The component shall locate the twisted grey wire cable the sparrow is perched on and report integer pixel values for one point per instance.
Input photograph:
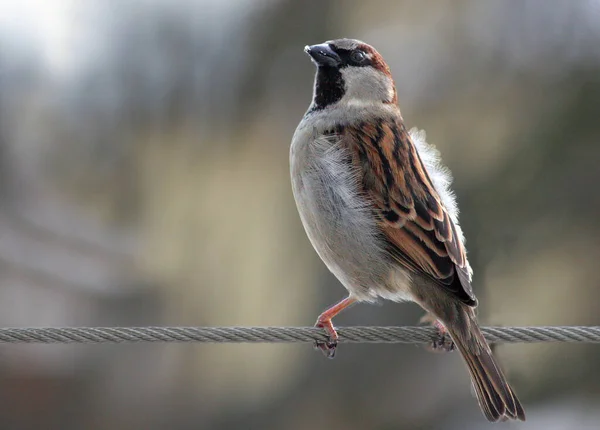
(586, 334)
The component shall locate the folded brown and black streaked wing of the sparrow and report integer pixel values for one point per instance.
(417, 229)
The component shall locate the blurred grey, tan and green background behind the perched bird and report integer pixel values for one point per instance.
(144, 181)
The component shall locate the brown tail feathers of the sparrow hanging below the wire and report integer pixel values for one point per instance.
(496, 398)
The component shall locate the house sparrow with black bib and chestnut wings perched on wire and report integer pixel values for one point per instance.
(376, 205)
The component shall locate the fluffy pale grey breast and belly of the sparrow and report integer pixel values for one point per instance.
(337, 220)
